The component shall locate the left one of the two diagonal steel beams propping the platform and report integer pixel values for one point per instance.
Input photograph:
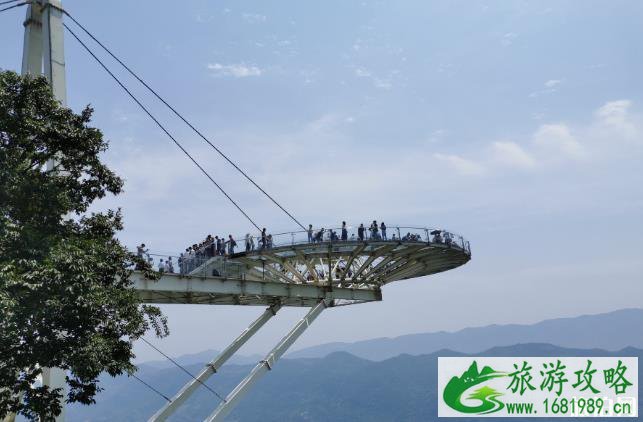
(213, 366)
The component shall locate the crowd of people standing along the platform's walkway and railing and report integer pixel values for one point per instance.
(196, 254)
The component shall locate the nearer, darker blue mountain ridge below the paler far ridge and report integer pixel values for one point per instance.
(338, 387)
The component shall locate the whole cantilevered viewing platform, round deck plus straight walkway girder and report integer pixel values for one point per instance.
(293, 269)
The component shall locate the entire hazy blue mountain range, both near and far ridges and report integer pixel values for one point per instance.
(390, 379)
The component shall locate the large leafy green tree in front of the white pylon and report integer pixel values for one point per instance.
(65, 296)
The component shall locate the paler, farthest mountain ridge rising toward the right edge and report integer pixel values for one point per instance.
(608, 331)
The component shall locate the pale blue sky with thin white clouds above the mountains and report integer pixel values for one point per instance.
(518, 124)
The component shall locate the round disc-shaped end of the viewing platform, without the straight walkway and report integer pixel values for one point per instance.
(355, 259)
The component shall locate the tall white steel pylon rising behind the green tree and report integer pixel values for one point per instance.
(44, 53)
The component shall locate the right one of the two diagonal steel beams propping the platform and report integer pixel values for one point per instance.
(266, 365)
